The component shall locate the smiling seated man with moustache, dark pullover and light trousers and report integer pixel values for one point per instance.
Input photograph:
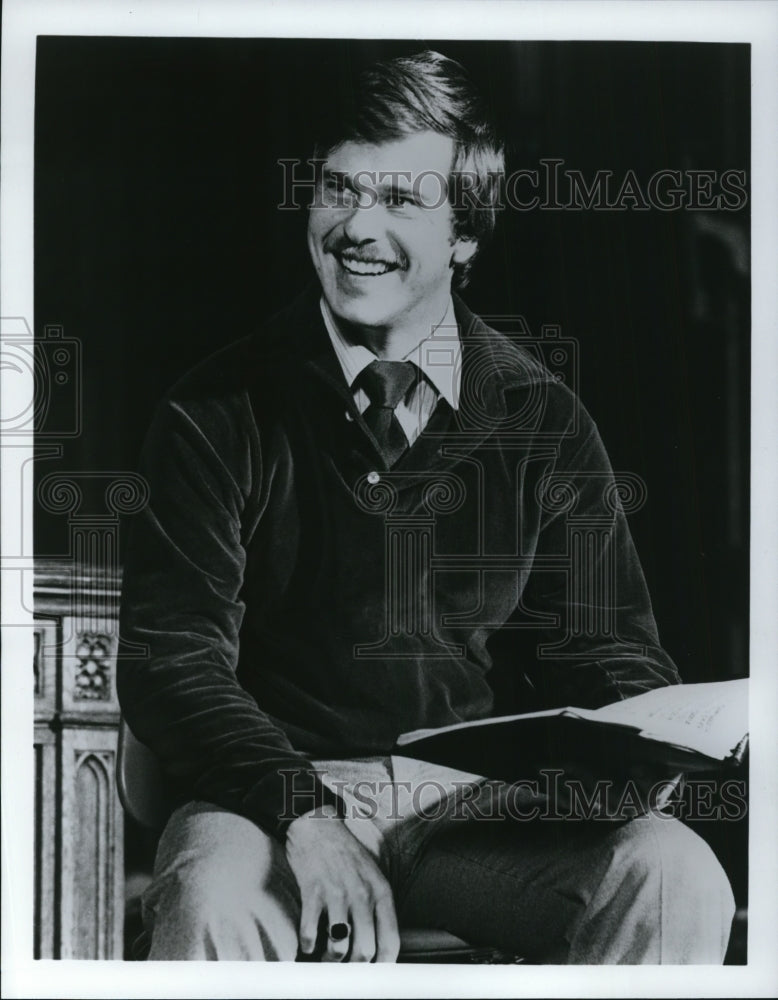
(350, 511)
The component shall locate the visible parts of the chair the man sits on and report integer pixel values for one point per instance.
(141, 790)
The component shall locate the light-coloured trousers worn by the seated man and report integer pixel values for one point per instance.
(460, 858)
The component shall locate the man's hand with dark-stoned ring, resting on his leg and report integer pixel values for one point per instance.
(341, 887)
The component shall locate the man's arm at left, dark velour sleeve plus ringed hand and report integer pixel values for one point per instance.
(180, 598)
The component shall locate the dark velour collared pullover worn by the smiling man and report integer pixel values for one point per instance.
(258, 574)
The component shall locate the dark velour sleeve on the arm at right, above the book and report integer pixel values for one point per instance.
(600, 642)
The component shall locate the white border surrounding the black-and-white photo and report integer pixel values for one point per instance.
(755, 23)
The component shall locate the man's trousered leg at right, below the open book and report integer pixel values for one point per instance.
(646, 891)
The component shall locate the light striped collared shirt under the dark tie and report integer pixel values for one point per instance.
(439, 357)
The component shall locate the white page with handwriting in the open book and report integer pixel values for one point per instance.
(711, 718)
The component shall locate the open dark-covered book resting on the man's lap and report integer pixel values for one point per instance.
(693, 727)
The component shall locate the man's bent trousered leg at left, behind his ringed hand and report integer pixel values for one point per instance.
(222, 889)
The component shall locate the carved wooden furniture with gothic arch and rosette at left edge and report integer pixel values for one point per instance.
(79, 825)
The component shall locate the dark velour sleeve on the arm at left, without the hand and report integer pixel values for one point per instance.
(181, 600)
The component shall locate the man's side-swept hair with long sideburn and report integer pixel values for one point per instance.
(399, 97)
